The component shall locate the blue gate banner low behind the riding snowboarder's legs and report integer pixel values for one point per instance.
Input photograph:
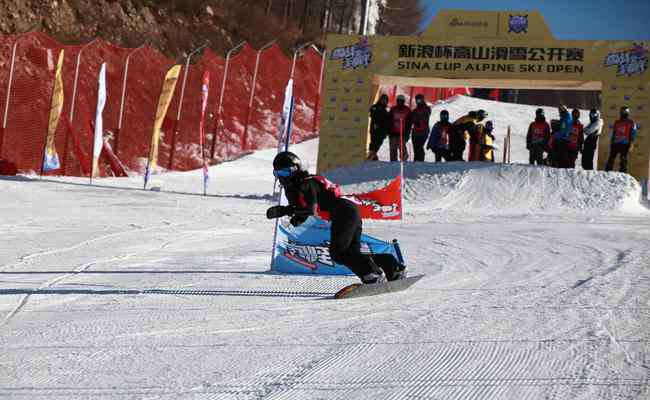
(305, 249)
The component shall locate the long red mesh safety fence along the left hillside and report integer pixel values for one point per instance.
(244, 121)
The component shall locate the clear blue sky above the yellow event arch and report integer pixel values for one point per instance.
(569, 19)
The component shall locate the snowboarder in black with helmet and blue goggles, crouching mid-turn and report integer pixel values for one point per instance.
(308, 193)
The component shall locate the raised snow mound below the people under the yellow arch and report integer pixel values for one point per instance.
(499, 188)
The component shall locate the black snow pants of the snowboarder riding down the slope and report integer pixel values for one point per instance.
(345, 243)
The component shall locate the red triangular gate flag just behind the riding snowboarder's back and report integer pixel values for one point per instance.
(384, 203)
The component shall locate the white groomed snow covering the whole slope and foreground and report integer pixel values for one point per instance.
(537, 287)
